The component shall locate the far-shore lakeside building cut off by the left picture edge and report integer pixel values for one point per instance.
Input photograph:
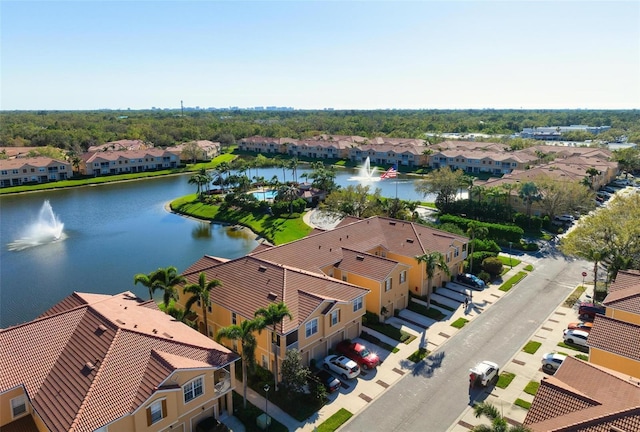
(30, 170)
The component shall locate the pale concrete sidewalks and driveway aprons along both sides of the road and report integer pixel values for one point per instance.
(372, 384)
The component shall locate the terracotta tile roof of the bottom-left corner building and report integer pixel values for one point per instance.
(88, 365)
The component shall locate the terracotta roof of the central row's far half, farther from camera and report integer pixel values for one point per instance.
(404, 238)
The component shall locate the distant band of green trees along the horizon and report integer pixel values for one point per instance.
(75, 131)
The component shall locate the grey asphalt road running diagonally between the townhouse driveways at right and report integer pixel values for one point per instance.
(436, 393)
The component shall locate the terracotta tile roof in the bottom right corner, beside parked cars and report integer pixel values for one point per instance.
(569, 402)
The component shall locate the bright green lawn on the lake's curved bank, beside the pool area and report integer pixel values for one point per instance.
(276, 230)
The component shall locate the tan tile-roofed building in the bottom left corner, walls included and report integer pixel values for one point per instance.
(111, 363)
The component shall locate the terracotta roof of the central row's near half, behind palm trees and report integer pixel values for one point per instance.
(250, 283)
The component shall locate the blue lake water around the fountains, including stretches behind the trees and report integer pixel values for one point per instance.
(112, 232)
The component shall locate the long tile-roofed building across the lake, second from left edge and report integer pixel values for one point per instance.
(127, 161)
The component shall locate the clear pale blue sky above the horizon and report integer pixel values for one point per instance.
(422, 54)
